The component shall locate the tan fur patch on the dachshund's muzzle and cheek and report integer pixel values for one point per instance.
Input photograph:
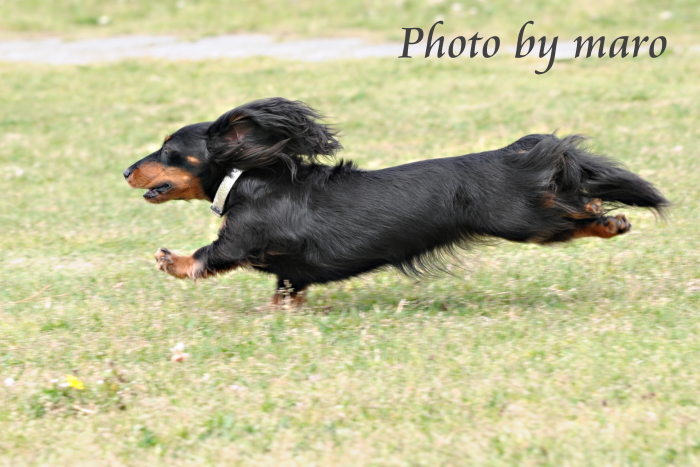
(150, 175)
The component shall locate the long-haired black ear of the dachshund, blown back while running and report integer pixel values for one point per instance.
(261, 133)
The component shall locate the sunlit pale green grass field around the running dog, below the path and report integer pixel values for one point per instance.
(580, 355)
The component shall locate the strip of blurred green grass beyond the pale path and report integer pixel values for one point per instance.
(378, 19)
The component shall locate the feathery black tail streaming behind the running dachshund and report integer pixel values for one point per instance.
(567, 171)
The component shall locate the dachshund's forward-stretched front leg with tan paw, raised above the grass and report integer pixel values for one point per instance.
(201, 264)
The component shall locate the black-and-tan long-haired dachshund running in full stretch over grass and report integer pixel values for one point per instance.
(310, 223)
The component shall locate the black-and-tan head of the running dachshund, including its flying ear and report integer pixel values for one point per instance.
(194, 160)
